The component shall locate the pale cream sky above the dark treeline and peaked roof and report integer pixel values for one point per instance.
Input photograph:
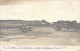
(50, 10)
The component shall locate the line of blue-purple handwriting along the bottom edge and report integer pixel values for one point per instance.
(24, 47)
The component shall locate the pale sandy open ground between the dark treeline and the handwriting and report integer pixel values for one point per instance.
(40, 36)
